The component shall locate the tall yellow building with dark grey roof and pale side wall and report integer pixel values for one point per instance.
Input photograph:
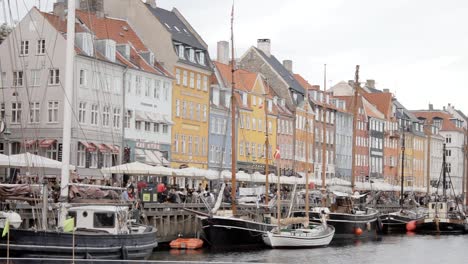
(183, 52)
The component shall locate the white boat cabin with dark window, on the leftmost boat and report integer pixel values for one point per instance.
(106, 218)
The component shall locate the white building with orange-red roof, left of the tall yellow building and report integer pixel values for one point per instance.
(147, 92)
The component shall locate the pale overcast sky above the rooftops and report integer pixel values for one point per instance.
(418, 49)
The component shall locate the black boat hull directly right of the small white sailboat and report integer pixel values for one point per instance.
(349, 226)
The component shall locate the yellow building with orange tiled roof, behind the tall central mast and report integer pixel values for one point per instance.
(255, 117)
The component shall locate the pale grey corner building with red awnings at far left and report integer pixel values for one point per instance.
(33, 75)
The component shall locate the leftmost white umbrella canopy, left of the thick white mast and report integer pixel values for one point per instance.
(34, 161)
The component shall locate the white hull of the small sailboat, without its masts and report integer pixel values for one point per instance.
(284, 240)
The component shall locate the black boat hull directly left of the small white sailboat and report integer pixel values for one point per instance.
(224, 232)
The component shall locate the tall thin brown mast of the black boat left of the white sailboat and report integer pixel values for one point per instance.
(233, 121)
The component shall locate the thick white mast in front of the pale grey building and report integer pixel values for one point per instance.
(67, 111)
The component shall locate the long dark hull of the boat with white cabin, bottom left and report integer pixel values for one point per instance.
(88, 245)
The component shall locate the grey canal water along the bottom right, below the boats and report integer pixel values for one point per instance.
(392, 249)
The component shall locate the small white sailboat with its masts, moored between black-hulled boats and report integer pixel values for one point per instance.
(299, 237)
